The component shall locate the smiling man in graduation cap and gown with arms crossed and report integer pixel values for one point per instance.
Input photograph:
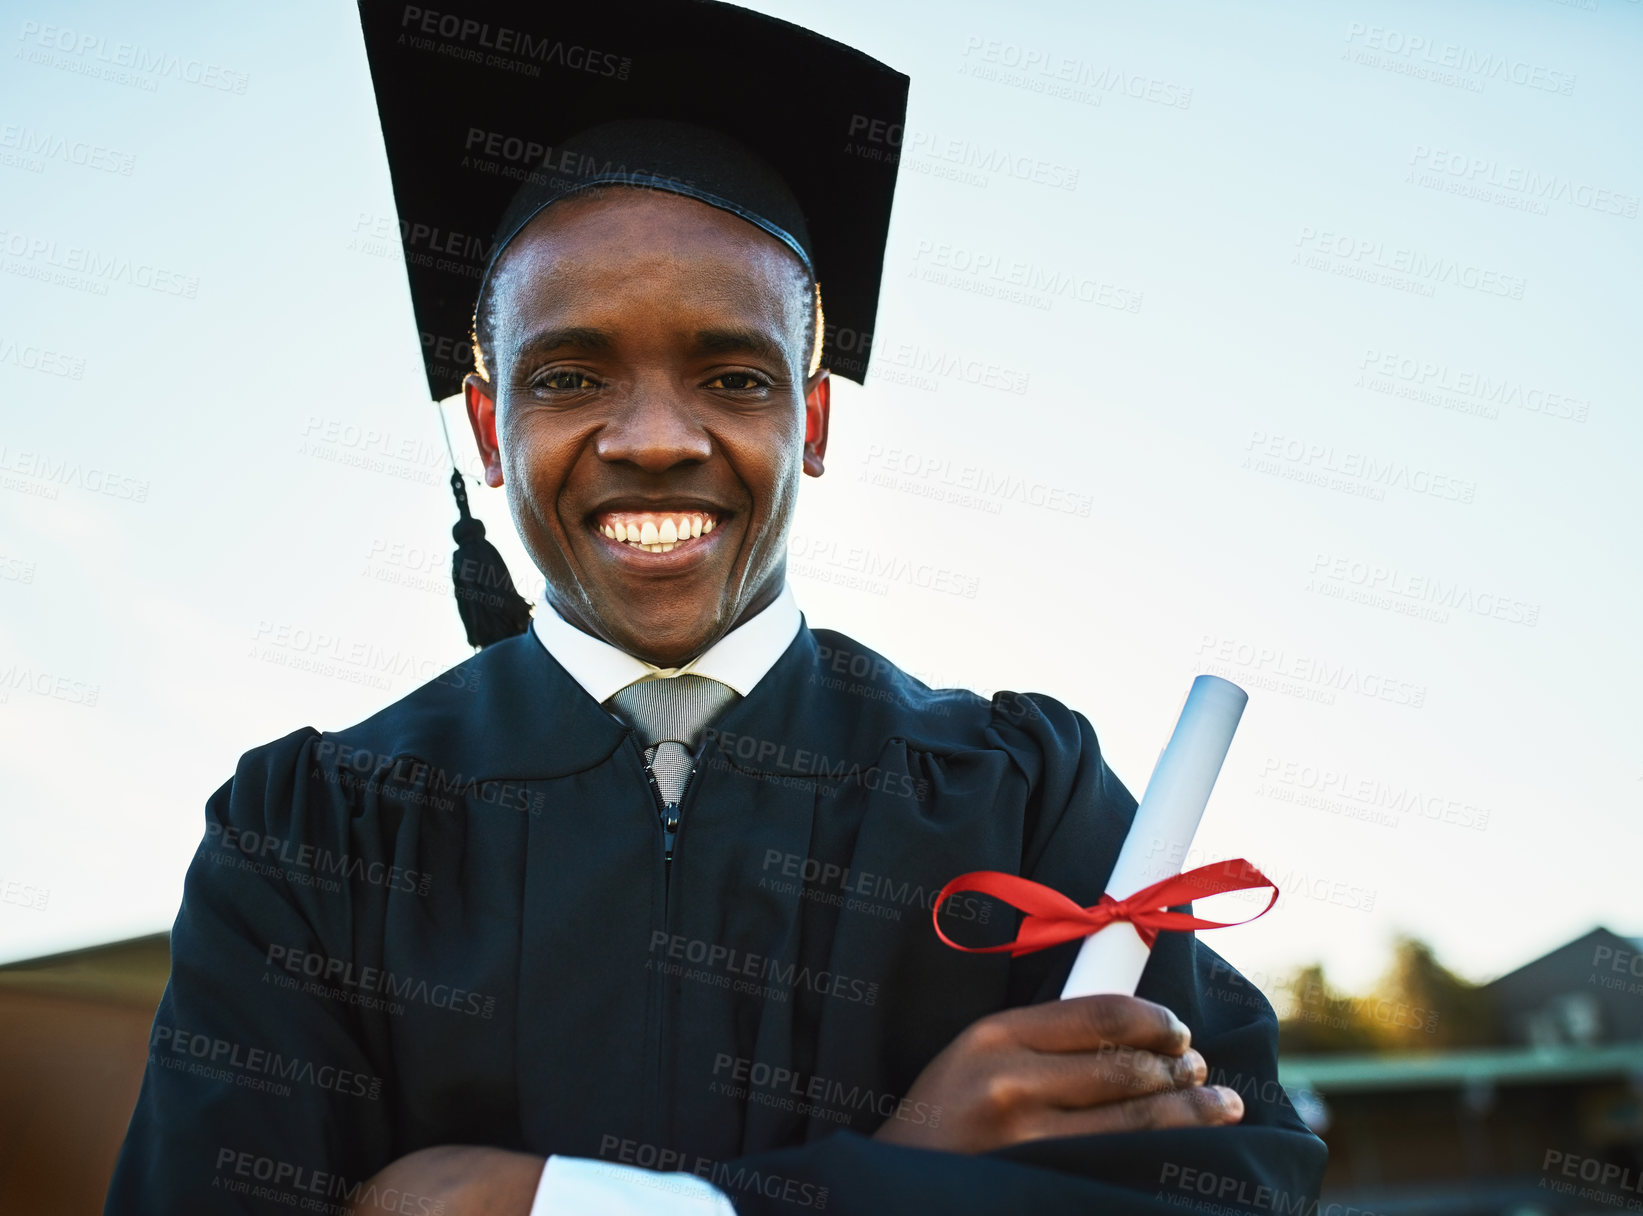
(632, 910)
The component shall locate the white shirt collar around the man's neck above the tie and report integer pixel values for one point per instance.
(740, 658)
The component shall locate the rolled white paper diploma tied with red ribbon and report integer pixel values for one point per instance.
(1162, 832)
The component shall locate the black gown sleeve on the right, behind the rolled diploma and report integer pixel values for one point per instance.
(1271, 1163)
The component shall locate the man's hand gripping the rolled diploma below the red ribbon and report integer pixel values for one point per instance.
(1093, 1064)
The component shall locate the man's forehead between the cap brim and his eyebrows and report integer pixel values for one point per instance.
(627, 242)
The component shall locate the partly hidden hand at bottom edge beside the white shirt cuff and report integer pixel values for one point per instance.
(454, 1181)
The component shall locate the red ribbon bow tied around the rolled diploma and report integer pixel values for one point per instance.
(1054, 919)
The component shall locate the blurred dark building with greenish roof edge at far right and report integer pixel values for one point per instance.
(1547, 1122)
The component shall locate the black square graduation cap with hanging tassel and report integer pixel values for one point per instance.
(495, 109)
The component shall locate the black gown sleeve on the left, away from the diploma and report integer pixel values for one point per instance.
(259, 1097)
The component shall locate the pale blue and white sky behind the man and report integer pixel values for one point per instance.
(1314, 377)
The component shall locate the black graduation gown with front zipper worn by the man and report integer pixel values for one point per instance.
(454, 924)
